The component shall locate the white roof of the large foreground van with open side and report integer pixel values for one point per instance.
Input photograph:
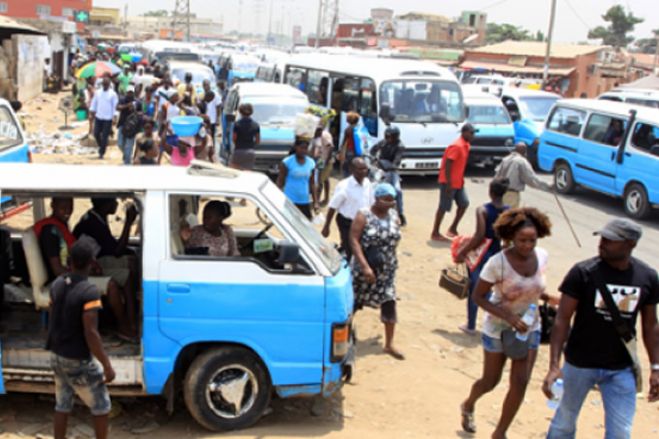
(103, 178)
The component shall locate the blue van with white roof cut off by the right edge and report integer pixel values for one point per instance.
(607, 146)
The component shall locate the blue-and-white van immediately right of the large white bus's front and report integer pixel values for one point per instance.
(496, 133)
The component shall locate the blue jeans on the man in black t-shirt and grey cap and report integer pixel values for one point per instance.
(618, 389)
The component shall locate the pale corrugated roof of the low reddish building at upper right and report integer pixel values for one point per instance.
(536, 48)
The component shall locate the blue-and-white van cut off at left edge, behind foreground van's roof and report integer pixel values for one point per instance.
(13, 146)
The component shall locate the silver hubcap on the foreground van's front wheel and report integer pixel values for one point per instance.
(231, 391)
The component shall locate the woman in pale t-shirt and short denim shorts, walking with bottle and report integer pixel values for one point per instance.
(511, 328)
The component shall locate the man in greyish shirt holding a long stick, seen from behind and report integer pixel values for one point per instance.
(516, 168)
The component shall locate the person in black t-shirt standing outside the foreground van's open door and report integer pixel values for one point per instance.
(73, 338)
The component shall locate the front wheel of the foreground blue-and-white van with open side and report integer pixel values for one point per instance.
(224, 367)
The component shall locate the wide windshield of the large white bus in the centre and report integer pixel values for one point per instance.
(422, 101)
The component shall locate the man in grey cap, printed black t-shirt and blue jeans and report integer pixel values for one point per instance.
(595, 353)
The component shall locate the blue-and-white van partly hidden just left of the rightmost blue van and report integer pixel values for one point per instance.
(529, 110)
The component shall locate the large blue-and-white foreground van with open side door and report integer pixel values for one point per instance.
(225, 333)
